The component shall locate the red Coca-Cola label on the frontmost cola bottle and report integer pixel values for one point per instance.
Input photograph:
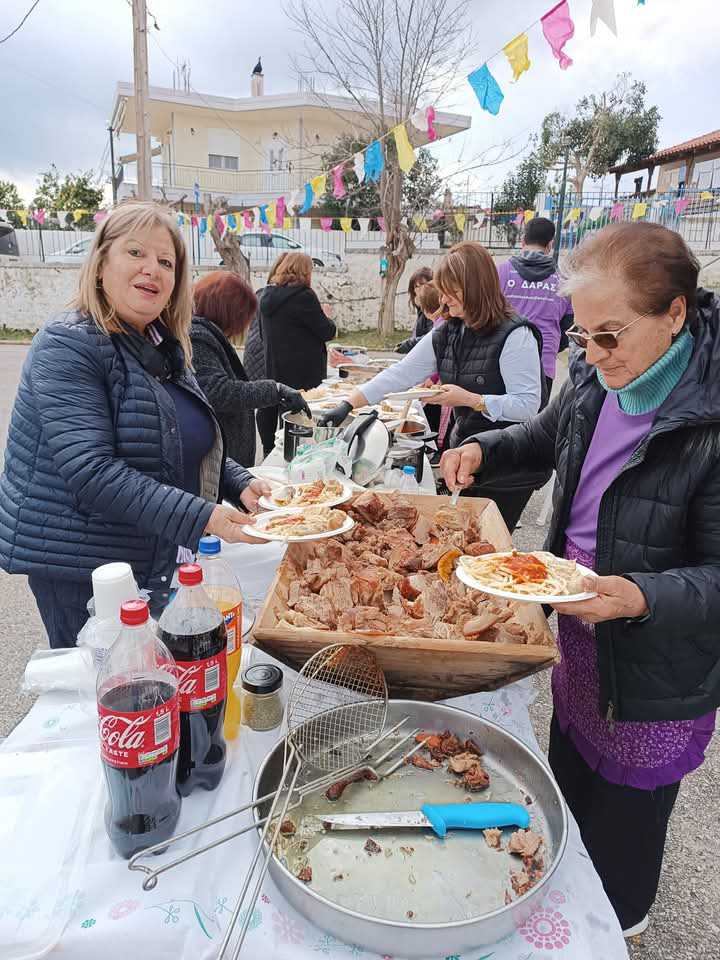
(140, 738)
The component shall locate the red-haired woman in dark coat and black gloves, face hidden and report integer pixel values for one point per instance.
(224, 305)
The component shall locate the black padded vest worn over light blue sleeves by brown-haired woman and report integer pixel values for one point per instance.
(471, 359)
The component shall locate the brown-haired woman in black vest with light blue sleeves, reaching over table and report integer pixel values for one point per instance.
(487, 360)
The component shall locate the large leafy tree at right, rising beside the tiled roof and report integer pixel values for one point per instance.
(606, 129)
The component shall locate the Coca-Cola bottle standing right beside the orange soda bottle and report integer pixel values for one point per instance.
(193, 629)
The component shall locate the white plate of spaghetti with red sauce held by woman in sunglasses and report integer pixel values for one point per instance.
(532, 577)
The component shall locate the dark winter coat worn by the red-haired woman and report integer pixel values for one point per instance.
(224, 382)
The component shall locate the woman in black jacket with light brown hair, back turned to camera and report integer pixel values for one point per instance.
(295, 330)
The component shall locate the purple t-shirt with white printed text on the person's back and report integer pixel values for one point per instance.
(539, 302)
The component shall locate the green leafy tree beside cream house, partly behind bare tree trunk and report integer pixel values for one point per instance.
(419, 191)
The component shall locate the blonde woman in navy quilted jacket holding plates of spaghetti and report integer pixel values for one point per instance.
(113, 452)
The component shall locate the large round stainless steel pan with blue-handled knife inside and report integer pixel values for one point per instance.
(508, 760)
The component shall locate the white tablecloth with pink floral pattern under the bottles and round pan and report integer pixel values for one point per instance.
(96, 908)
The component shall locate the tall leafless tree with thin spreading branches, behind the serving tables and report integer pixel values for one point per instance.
(389, 57)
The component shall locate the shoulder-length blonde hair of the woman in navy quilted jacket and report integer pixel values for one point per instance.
(91, 298)
